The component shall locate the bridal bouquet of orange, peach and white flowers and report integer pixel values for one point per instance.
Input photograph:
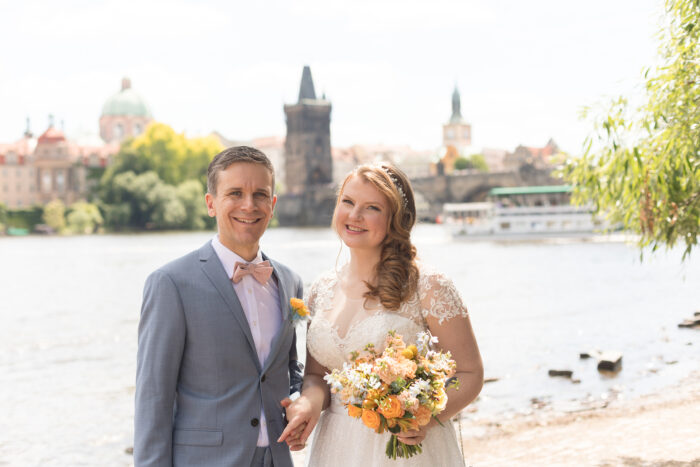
(397, 390)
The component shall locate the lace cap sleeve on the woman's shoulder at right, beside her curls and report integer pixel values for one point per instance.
(439, 297)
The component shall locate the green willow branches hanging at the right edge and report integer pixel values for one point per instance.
(641, 166)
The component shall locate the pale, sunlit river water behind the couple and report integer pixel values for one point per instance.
(70, 310)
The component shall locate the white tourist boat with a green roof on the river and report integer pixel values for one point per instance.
(522, 212)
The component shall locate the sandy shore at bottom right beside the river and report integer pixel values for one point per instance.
(654, 430)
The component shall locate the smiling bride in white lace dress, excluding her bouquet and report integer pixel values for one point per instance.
(382, 288)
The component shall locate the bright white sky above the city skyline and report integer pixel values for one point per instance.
(524, 69)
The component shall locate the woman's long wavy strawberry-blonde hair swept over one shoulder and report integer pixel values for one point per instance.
(396, 272)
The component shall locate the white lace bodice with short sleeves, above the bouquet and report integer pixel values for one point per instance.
(436, 297)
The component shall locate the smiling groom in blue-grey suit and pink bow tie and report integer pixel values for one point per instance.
(217, 348)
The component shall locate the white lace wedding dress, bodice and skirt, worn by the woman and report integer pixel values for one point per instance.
(340, 325)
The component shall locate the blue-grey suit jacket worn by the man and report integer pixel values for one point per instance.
(199, 385)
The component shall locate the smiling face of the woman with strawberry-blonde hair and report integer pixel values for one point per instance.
(362, 215)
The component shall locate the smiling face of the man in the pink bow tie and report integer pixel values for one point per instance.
(243, 206)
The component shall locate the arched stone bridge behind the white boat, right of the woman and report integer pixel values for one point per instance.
(473, 186)
